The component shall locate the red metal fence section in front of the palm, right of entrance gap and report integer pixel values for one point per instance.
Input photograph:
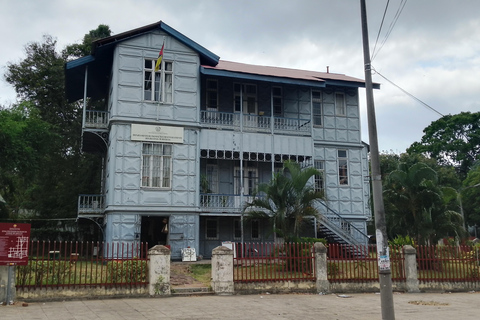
(255, 262)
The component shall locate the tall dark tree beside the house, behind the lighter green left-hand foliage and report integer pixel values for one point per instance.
(63, 172)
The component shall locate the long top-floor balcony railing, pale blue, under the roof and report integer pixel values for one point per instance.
(255, 123)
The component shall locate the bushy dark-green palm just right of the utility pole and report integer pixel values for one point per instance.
(418, 207)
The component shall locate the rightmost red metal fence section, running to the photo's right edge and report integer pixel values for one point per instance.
(448, 263)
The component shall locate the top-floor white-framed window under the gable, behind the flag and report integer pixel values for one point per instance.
(158, 86)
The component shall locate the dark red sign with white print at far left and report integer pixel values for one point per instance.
(14, 239)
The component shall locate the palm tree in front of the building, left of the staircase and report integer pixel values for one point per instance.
(287, 200)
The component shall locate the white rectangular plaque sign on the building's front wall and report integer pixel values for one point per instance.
(142, 132)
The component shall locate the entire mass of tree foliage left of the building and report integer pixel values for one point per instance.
(42, 169)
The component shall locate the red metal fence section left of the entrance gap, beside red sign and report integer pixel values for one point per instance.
(71, 264)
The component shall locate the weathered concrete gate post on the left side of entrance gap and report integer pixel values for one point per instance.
(159, 271)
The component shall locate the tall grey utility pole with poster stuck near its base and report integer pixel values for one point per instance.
(383, 256)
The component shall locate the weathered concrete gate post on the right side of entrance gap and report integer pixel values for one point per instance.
(222, 271)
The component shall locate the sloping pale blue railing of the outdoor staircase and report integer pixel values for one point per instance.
(342, 227)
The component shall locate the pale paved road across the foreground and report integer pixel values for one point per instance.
(422, 306)
